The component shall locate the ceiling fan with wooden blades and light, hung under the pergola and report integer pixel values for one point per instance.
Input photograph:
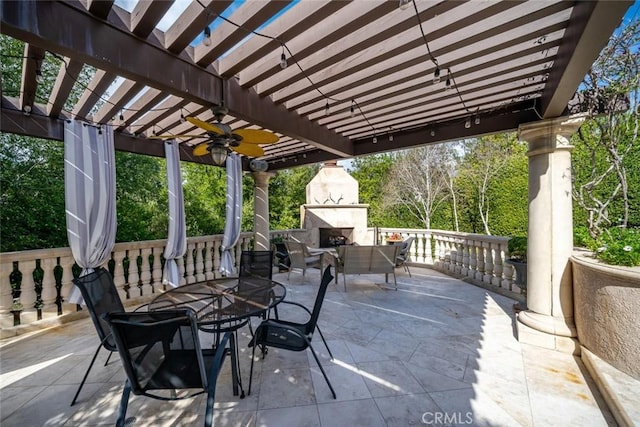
(222, 139)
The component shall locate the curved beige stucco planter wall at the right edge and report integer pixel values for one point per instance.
(607, 312)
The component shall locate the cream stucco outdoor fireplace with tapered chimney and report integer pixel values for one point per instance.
(332, 214)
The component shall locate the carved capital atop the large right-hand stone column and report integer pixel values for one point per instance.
(549, 135)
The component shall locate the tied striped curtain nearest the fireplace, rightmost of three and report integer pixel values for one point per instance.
(233, 213)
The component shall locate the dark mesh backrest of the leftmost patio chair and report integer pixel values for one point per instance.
(101, 297)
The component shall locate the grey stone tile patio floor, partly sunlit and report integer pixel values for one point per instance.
(436, 352)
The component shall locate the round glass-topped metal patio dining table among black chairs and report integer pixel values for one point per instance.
(224, 304)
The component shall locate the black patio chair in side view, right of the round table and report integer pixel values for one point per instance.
(293, 336)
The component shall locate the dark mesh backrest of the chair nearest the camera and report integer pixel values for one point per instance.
(159, 350)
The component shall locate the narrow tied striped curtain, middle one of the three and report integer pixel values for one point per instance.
(177, 238)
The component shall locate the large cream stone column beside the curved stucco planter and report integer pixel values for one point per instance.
(548, 322)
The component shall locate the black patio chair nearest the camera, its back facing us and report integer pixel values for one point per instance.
(160, 350)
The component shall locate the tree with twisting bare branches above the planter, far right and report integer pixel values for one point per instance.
(603, 144)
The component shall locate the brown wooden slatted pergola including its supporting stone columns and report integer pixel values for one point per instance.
(510, 65)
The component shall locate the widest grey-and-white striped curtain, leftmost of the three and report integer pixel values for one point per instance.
(90, 195)
